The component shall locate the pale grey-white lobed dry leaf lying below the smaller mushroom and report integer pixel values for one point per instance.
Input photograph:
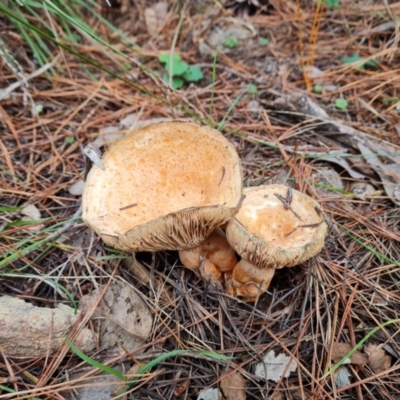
(275, 367)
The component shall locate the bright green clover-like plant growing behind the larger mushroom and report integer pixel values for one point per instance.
(179, 70)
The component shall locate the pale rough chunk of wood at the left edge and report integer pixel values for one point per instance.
(27, 331)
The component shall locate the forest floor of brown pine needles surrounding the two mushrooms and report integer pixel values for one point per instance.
(308, 93)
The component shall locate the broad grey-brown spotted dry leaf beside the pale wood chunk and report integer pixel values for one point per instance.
(124, 319)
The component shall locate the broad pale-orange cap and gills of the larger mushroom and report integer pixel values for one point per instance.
(166, 186)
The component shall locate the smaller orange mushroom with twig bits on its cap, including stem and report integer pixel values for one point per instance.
(275, 227)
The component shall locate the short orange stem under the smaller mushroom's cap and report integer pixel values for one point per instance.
(248, 281)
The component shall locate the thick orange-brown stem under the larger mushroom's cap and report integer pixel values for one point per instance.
(212, 258)
